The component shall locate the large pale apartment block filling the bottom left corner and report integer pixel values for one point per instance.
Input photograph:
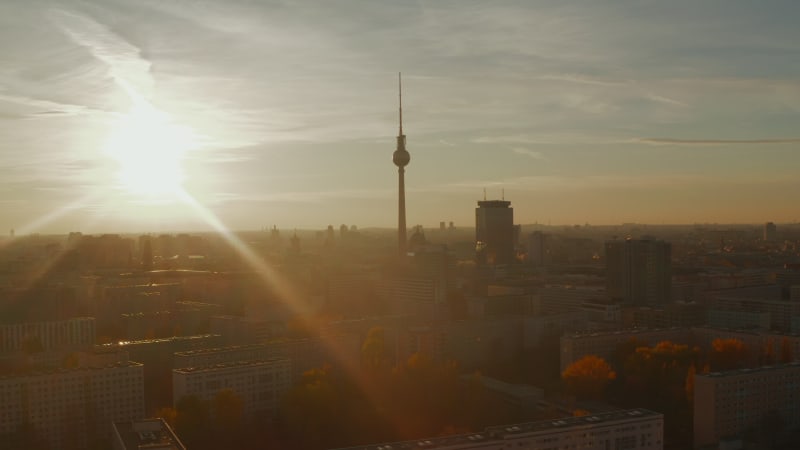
(70, 408)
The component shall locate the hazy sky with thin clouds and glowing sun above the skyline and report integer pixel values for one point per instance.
(146, 116)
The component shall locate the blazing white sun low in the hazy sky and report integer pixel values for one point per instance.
(149, 150)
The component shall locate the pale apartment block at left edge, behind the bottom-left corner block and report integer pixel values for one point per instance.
(75, 333)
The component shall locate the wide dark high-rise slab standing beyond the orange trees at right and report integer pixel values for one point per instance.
(639, 271)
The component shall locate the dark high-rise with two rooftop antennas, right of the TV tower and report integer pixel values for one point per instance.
(494, 232)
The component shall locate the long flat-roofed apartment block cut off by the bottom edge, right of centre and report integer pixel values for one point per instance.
(635, 429)
